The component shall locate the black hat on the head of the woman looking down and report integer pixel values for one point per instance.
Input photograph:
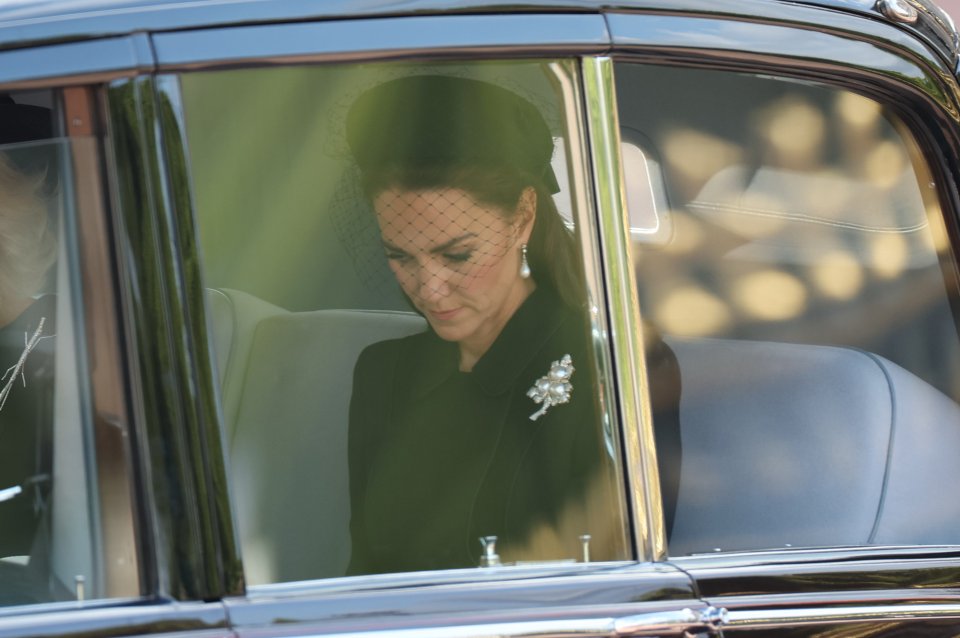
(434, 121)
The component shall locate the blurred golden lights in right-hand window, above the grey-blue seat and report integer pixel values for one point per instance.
(797, 213)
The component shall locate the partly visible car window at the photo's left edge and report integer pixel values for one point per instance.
(49, 528)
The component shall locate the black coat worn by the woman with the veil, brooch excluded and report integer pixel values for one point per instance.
(440, 457)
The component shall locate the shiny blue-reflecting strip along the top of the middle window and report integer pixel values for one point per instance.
(351, 39)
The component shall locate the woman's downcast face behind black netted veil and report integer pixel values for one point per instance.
(457, 259)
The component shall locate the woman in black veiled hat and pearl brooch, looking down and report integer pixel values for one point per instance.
(496, 401)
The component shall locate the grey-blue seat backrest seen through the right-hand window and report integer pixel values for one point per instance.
(799, 445)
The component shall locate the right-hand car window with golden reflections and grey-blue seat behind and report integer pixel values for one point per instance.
(801, 275)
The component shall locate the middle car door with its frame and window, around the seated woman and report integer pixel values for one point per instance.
(278, 253)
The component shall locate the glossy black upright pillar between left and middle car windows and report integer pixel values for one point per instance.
(185, 495)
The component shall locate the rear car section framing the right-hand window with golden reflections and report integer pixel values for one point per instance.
(791, 194)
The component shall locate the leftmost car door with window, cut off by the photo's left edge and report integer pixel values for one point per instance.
(79, 542)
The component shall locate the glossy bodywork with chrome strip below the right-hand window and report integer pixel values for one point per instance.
(811, 581)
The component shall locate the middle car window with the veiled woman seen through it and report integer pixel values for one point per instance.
(400, 318)
